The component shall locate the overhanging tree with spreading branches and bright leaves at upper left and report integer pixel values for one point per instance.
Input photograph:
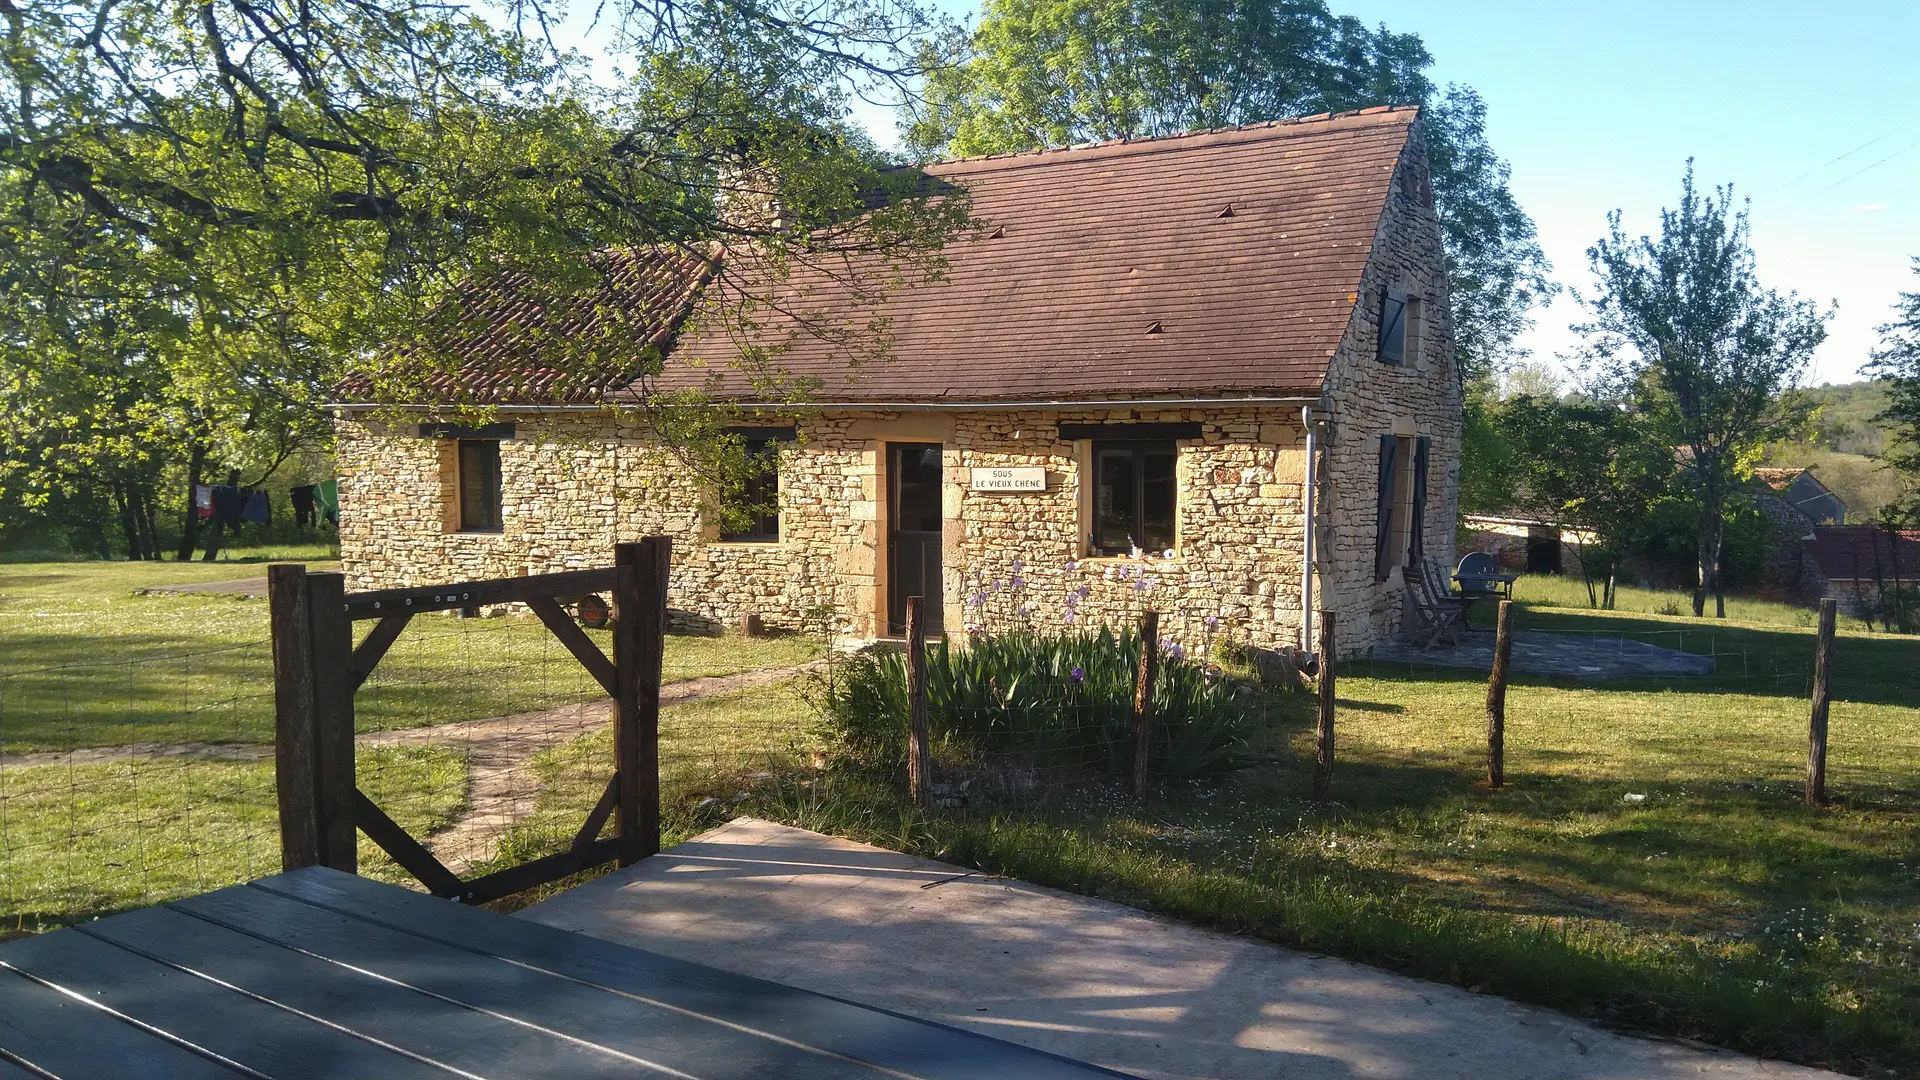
(239, 199)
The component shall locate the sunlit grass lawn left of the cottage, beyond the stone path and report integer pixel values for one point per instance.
(87, 662)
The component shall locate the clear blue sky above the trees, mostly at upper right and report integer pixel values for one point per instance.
(1812, 109)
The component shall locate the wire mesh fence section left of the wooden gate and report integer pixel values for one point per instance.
(133, 781)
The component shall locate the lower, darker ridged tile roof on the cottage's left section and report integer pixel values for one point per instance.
(506, 355)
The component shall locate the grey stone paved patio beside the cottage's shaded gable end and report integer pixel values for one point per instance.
(1543, 652)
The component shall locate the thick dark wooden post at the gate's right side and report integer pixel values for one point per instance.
(638, 652)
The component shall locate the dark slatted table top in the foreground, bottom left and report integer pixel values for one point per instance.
(325, 975)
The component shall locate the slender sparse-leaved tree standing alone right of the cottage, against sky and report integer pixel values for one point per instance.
(1685, 330)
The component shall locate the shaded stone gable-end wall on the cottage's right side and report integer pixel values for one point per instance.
(1368, 399)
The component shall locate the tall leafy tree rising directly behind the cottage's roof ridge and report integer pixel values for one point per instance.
(1057, 72)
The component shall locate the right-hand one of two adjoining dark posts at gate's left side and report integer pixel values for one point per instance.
(333, 722)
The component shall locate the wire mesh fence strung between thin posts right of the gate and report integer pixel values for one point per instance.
(1026, 716)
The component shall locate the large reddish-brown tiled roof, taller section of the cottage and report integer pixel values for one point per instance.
(1115, 270)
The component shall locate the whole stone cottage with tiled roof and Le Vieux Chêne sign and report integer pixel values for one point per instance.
(1209, 374)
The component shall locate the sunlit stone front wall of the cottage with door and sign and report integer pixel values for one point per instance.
(575, 485)
